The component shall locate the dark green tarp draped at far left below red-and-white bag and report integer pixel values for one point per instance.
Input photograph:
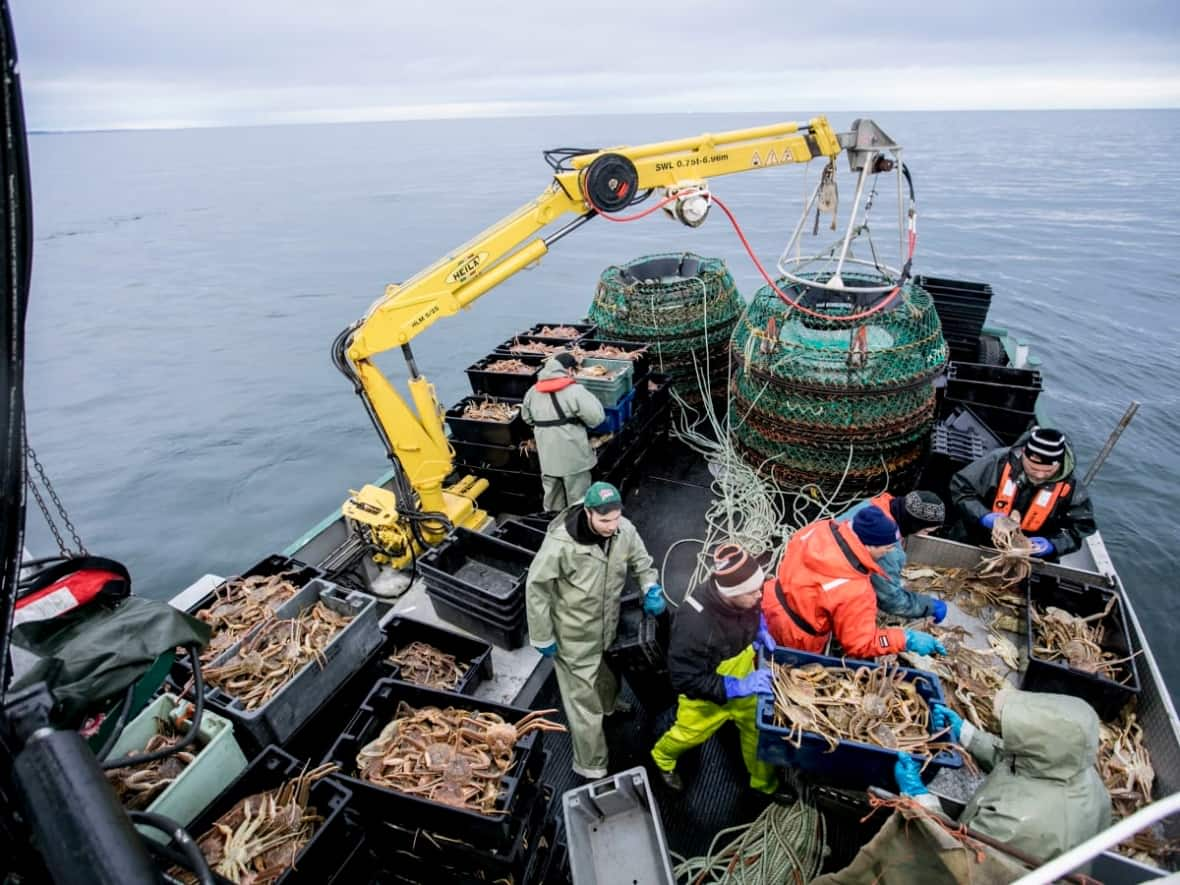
(96, 652)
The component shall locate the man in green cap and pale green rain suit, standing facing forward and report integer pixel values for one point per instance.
(573, 593)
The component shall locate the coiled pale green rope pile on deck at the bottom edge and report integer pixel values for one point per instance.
(784, 845)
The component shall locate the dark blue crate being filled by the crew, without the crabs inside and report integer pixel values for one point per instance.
(853, 764)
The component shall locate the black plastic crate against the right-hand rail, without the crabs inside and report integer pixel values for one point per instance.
(1107, 697)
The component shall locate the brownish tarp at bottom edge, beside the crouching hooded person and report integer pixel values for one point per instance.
(914, 850)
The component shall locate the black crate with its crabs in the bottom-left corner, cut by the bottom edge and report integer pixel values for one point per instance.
(281, 823)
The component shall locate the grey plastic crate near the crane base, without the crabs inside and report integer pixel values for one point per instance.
(298, 700)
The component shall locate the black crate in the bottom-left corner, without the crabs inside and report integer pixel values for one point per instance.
(329, 848)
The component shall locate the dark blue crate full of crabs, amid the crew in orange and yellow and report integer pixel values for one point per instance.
(844, 722)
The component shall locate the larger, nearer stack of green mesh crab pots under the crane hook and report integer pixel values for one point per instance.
(816, 399)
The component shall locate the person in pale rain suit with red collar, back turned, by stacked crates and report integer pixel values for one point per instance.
(561, 411)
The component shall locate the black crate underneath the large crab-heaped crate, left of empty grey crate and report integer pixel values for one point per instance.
(430, 858)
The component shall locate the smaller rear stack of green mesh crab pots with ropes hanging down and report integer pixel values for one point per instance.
(683, 305)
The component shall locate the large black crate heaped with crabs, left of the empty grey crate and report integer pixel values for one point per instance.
(447, 764)
